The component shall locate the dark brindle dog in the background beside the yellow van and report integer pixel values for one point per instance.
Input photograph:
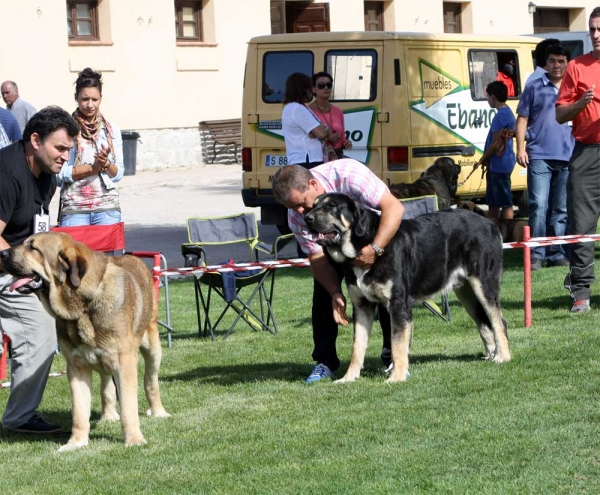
(440, 179)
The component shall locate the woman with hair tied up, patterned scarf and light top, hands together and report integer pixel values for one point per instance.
(89, 195)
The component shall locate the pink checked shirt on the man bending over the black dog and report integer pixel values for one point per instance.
(345, 176)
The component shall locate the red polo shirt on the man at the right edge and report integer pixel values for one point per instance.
(581, 73)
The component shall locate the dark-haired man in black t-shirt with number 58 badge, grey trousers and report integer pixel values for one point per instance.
(27, 184)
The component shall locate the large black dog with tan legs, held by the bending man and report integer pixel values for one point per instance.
(450, 249)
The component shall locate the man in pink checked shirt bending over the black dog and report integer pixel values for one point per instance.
(297, 188)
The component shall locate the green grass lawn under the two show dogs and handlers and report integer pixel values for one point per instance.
(243, 421)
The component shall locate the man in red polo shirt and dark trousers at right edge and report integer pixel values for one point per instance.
(579, 101)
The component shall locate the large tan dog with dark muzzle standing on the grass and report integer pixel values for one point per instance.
(105, 311)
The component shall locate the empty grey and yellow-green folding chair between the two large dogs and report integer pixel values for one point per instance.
(241, 228)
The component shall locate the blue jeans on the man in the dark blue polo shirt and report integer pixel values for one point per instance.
(547, 187)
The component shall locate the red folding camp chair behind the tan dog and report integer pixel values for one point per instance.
(111, 238)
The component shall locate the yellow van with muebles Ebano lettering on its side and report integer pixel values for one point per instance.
(408, 98)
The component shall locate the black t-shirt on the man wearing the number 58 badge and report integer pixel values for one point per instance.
(21, 194)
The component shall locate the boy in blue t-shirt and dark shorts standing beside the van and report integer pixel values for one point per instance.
(499, 149)
